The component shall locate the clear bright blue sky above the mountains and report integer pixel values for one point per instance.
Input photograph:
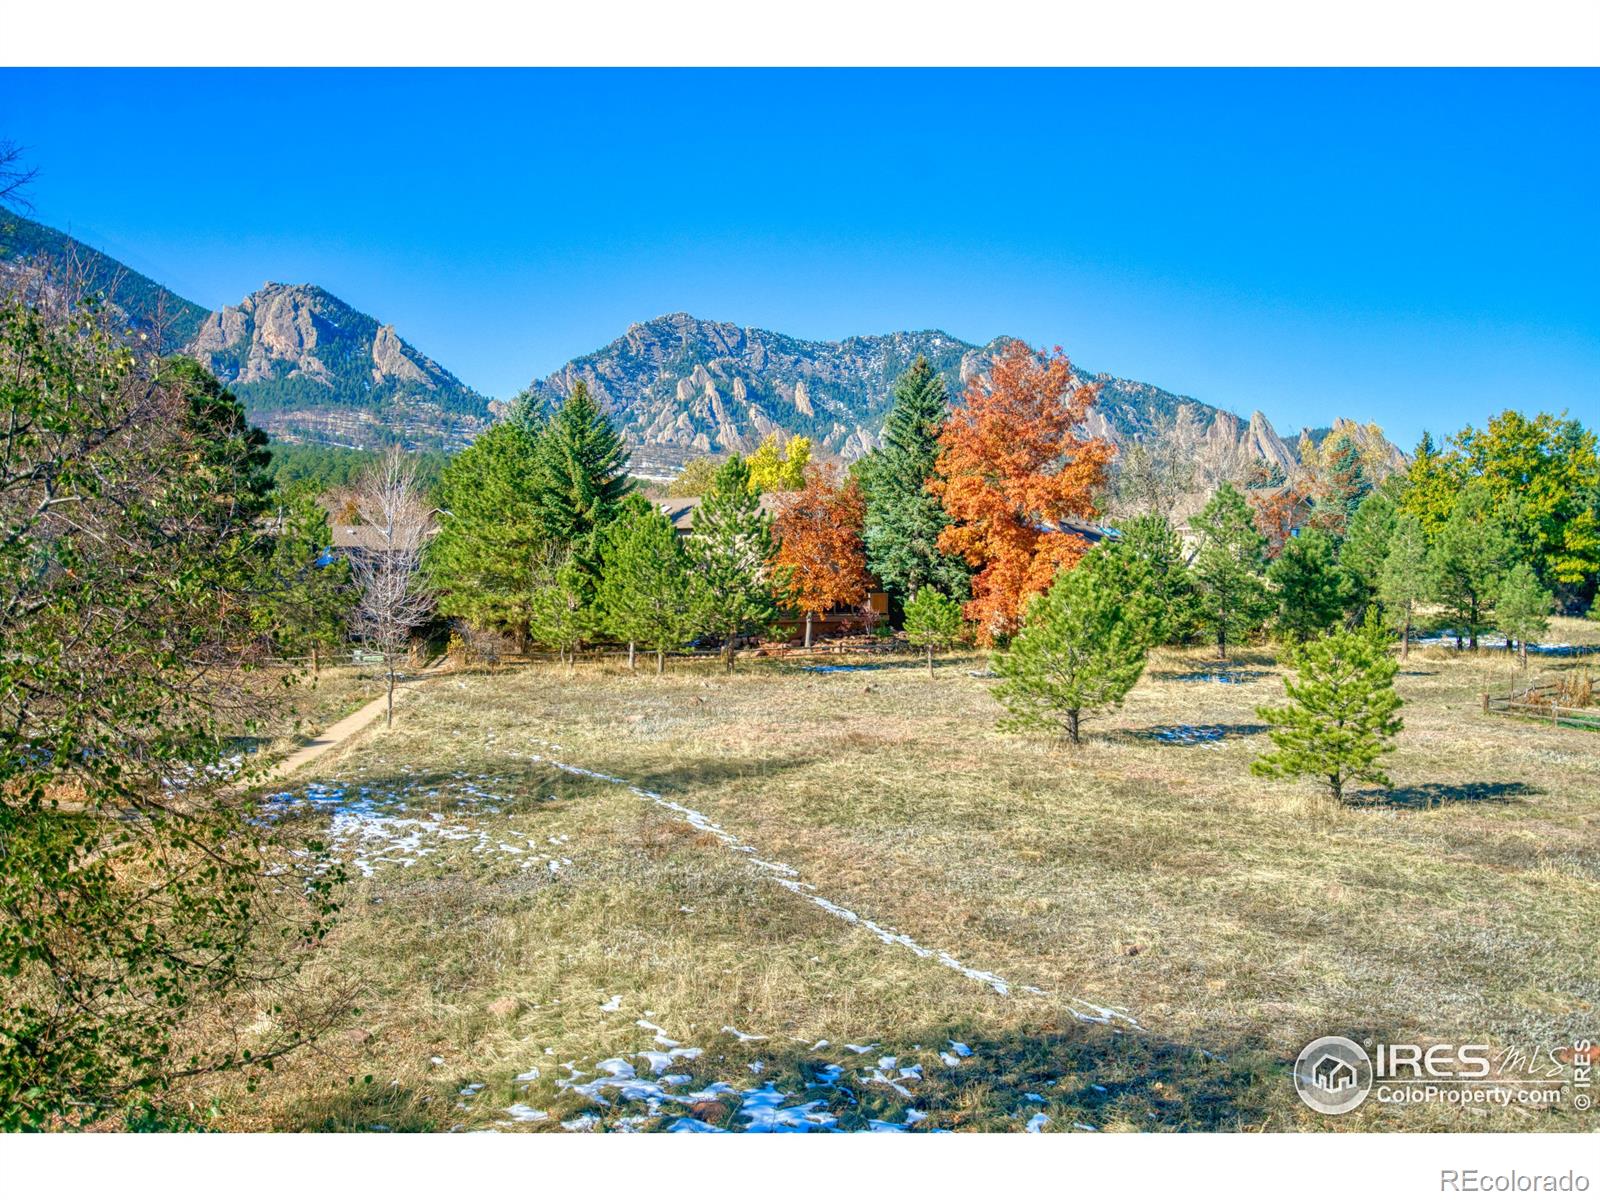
(1417, 249)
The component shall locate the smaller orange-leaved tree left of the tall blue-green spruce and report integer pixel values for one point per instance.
(822, 558)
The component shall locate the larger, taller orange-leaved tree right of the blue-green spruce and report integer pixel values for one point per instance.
(1012, 466)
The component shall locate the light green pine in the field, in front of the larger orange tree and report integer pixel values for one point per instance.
(1082, 649)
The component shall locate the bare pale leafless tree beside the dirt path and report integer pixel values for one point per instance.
(388, 564)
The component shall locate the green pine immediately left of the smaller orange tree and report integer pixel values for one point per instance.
(730, 551)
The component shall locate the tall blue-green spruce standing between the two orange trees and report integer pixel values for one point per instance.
(905, 521)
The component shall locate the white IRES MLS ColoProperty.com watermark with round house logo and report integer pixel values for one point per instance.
(1337, 1074)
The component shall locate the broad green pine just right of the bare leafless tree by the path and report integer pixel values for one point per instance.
(492, 534)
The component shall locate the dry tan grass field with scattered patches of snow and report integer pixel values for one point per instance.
(831, 886)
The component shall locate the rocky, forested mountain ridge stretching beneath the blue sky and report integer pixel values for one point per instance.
(310, 367)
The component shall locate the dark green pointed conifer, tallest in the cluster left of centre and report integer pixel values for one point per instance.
(583, 476)
